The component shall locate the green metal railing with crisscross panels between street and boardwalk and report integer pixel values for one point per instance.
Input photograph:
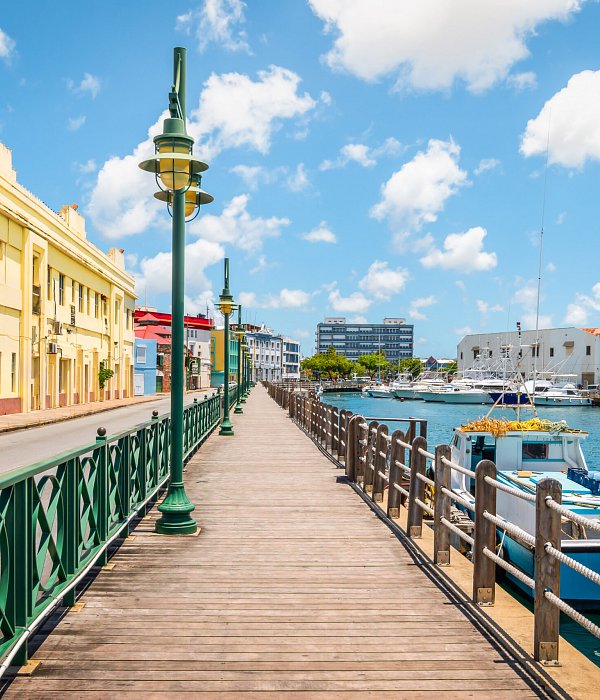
(58, 517)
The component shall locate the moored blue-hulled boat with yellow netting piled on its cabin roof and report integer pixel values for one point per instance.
(525, 453)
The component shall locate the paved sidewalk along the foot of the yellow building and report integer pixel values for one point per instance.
(19, 421)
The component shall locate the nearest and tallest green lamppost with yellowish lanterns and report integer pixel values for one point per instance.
(177, 174)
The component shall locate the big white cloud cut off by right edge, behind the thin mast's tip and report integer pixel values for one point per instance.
(573, 115)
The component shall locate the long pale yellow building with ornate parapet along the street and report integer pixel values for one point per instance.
(66, 308)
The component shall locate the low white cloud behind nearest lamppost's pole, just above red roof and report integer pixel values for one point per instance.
(153, 276)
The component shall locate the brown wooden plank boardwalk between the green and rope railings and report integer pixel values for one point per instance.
(293, 586)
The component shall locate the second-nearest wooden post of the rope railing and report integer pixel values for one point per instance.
(484, 569)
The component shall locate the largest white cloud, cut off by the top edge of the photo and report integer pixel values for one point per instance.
(430, 44)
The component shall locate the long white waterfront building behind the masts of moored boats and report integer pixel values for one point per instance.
(562, 350)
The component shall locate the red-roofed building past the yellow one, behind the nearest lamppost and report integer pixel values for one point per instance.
(157, 325)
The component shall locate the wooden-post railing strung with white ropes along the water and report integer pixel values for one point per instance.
(400, 465)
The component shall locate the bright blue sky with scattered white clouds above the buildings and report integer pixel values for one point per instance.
(368, 158)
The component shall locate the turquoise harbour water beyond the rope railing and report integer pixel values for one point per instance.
(443, 418)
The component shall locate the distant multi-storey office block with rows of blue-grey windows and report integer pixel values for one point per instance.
(394, 337)
